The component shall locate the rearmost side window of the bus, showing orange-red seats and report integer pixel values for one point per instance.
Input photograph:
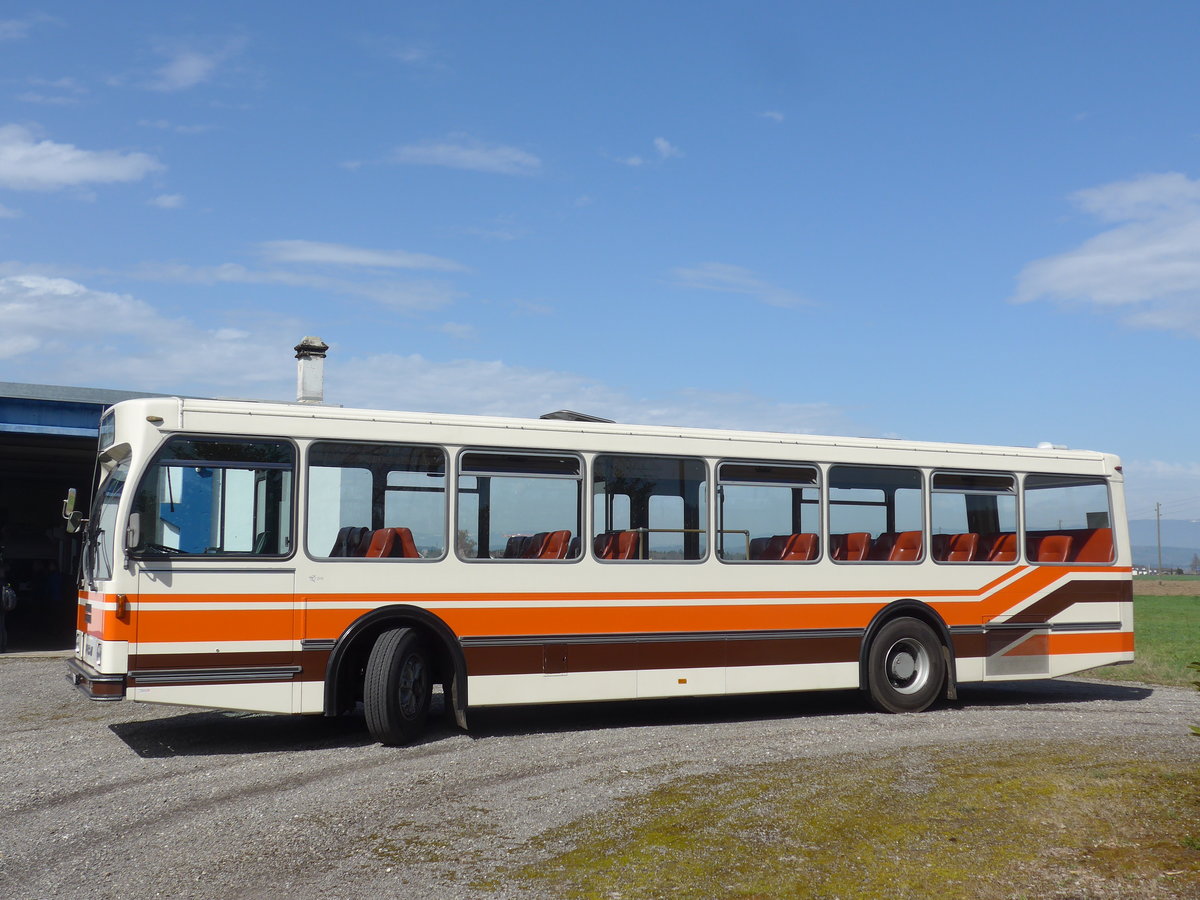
(1067, 520)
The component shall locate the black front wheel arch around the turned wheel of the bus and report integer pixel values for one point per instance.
(347, 662)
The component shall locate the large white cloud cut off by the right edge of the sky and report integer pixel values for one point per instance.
(1148, 266)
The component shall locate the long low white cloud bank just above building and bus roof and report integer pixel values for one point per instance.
(251, 357)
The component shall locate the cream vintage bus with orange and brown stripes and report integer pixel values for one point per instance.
(297, 559)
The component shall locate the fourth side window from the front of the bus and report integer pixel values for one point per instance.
(657, 507)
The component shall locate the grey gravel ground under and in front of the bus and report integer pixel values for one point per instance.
(129, 801)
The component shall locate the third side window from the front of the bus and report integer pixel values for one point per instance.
(515, 506)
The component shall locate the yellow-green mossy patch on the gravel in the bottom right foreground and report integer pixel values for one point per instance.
(982, 823)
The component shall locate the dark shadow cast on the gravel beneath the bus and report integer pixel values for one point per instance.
(219, 734)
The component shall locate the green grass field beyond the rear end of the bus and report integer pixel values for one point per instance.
(1167, 639)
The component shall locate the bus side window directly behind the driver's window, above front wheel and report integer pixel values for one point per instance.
(376, 501)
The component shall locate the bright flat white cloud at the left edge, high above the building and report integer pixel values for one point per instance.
(31, 165)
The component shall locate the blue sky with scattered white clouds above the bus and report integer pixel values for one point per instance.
(934, 221)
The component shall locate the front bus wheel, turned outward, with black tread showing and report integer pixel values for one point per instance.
(398, 688)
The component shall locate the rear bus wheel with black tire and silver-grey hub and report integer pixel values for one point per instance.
(905, 667)
